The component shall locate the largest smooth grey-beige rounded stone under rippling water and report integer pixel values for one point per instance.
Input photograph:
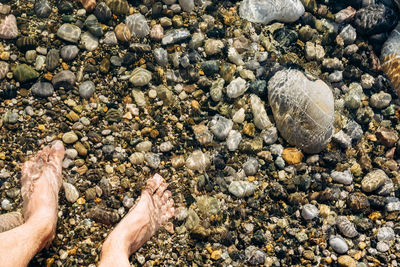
(303, 109)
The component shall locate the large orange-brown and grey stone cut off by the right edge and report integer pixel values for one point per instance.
(390, 58)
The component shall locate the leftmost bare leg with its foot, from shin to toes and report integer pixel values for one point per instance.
(41, 181)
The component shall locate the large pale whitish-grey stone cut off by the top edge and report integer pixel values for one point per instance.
(265, 11)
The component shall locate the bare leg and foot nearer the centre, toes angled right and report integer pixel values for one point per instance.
(154, 208)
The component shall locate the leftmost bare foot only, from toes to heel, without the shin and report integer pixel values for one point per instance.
(41, 181)
